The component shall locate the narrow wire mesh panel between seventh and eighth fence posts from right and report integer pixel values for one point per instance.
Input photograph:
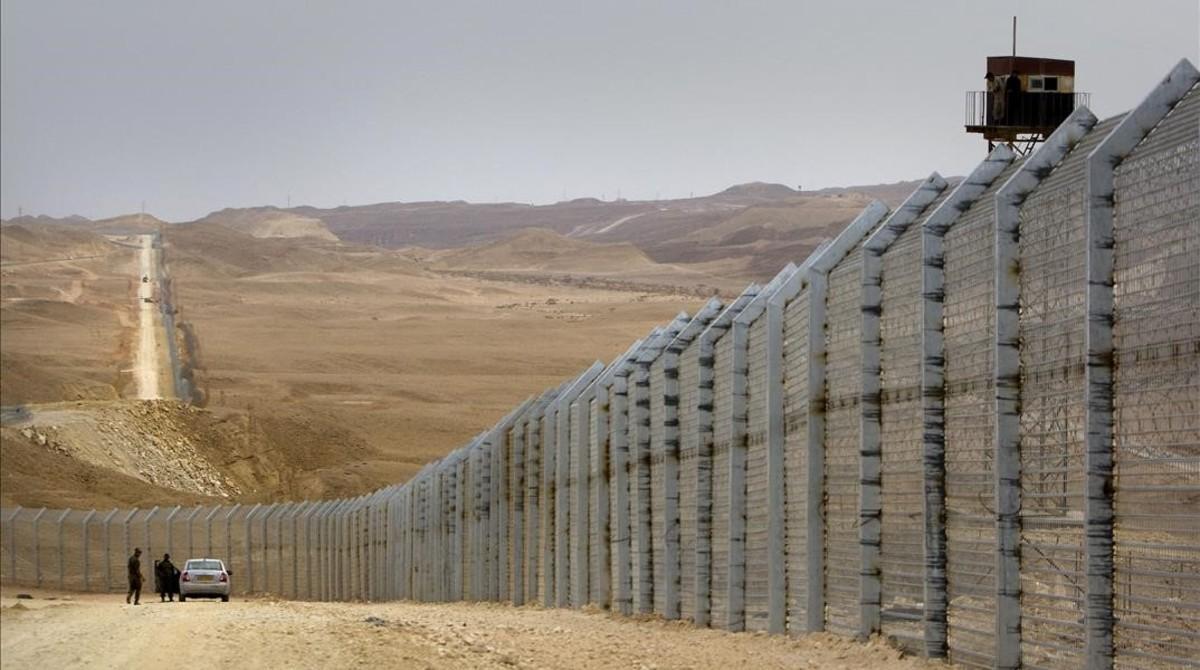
(723, 435)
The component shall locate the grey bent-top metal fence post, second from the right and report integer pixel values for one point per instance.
(1009, 380)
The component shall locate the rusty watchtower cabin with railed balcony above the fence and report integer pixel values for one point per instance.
(1024, 103)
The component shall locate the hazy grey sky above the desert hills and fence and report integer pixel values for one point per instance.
(200, 106)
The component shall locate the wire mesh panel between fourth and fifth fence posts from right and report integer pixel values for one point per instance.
(843, 428)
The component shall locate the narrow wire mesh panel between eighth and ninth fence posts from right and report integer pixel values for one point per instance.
(689, 471)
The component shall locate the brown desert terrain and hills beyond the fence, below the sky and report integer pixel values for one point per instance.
(310, 354)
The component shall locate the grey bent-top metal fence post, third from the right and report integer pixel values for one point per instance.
(933, 391)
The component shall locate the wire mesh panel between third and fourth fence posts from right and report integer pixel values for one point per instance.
(903, 531)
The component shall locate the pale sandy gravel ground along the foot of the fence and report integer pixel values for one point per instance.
(89, 631)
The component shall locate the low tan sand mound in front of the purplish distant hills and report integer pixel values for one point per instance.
(542, 250)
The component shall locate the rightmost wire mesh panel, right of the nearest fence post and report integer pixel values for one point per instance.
(1157, 396)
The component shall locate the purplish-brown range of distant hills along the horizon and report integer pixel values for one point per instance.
(746, 232)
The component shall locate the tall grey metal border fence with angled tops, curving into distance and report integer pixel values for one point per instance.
(971, 424)
